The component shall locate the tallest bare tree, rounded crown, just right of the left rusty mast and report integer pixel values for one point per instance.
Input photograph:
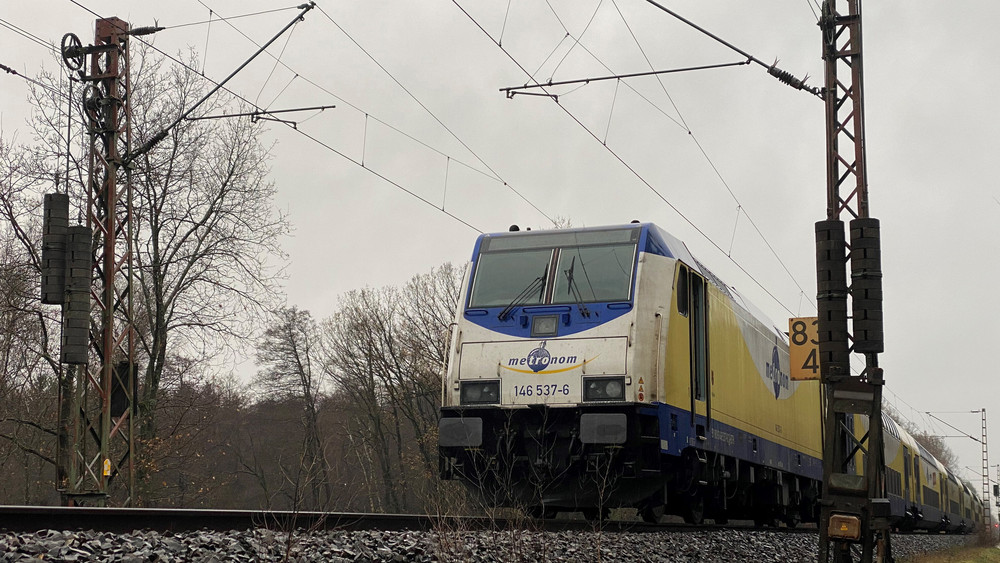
(206, 228)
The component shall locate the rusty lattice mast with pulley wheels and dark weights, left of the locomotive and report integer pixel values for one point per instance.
(101, 441)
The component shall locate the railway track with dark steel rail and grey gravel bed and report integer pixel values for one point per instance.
(171, 535)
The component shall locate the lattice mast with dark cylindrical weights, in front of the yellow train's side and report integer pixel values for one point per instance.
(853, 508)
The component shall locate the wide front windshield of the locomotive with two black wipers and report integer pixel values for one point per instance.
(555, 268)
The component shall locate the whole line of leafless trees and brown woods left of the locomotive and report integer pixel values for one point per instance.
(341, 412)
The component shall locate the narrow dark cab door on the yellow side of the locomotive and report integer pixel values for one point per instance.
(692, 302)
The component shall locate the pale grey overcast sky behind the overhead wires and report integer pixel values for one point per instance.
(712, 156)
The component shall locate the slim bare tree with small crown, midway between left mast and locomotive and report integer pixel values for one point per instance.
(287, 353)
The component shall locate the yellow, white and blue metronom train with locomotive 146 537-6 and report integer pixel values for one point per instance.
(606, 367)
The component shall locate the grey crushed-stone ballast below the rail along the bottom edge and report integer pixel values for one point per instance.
(502, 546)
